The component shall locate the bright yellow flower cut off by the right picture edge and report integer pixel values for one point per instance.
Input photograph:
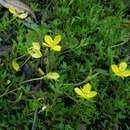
(121, 70)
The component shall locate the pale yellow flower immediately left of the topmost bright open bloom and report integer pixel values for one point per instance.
(34, 51)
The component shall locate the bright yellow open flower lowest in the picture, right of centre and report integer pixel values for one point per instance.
(86, 92)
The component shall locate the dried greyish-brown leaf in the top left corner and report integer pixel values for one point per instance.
(18, 5)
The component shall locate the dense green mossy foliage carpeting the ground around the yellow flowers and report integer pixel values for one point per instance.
(94, 35)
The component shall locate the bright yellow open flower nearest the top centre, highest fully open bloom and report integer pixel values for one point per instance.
(53, 44)
